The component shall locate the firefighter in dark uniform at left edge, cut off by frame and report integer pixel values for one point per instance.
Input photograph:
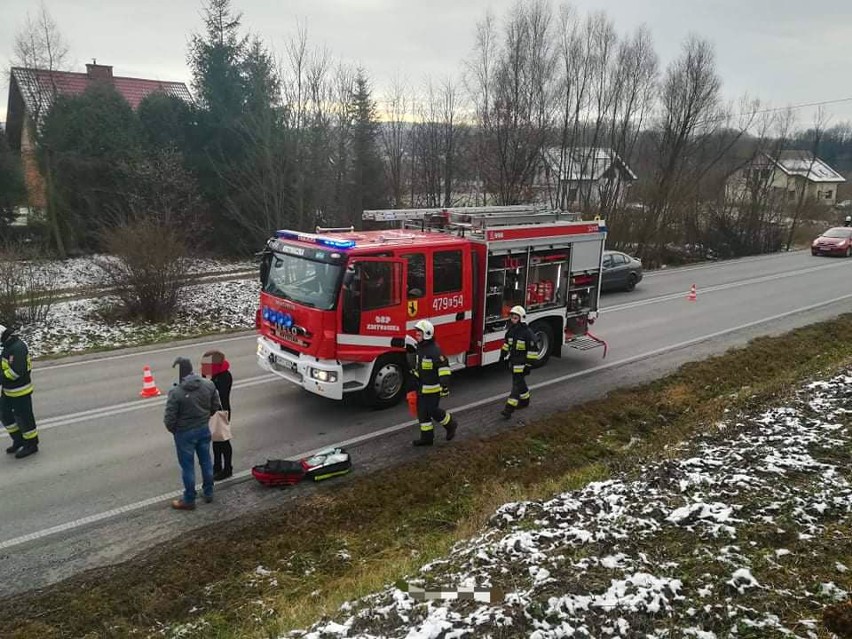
(16, 399)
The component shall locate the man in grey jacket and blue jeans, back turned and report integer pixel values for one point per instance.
(189, 406)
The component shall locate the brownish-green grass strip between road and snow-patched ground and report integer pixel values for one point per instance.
(284, 569)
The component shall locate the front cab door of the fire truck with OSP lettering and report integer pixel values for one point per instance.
(374, 299)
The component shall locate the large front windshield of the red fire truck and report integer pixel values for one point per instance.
(303, 280)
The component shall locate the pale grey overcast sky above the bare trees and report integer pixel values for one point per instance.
(781, 51)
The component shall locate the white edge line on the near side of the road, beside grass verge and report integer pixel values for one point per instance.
(242, 475)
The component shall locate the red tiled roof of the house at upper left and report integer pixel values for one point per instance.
(36, 82)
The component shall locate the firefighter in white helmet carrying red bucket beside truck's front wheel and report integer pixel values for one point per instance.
(432, 376)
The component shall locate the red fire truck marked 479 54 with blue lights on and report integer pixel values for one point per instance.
(336, 305)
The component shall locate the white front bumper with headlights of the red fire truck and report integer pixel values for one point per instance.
(322, 377)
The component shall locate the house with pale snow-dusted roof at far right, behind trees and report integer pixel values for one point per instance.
(788, 176)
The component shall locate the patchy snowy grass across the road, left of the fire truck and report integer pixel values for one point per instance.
(77, 325)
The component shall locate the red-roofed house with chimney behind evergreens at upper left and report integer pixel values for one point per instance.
(32, 92)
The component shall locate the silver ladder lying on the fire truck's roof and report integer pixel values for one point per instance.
(473, 218)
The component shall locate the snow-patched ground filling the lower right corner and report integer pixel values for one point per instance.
(722, 539)
